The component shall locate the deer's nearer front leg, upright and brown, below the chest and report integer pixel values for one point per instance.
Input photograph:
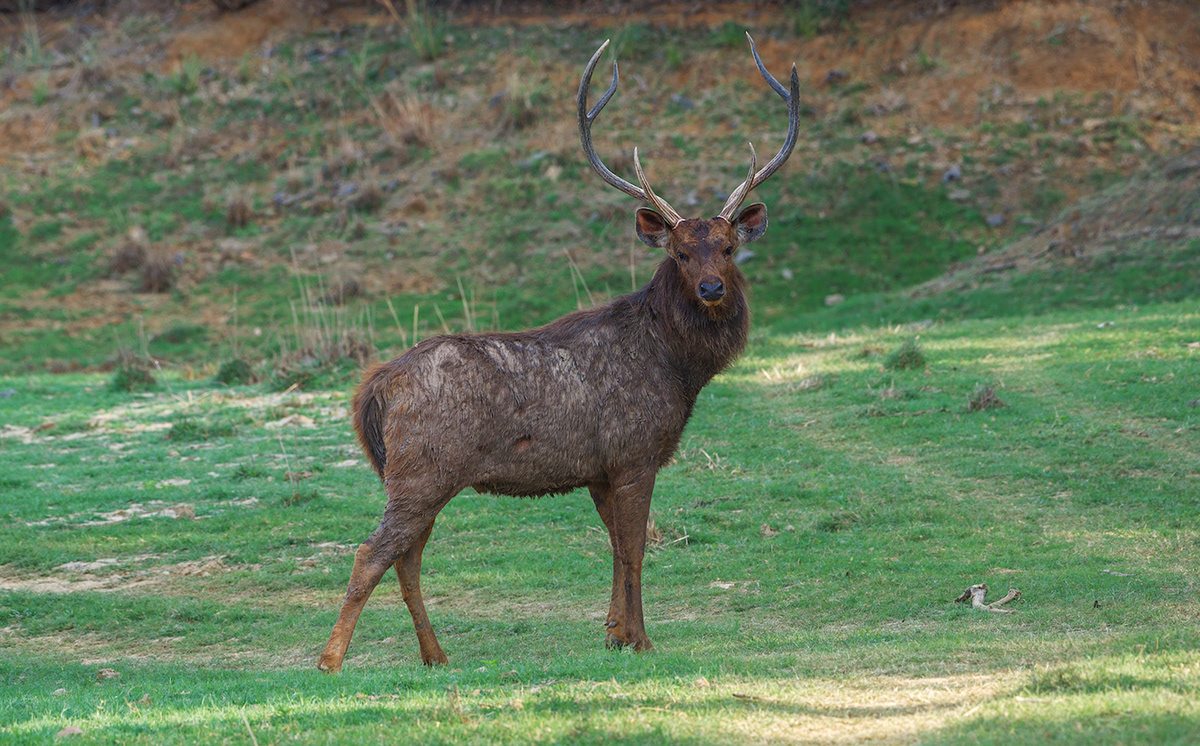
(632, 508)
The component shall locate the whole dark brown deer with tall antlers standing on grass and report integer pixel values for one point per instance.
(598, 399)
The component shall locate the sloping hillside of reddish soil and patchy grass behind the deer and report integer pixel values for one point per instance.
(199, 186)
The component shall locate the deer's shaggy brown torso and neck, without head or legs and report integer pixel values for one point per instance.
(599, 393)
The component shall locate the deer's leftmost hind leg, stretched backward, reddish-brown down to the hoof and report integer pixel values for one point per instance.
(406, 526)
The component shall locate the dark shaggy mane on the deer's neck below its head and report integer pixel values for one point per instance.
(700, 341)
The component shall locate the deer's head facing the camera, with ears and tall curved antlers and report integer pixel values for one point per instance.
(703, 249)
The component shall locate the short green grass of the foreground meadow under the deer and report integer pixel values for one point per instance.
(836, 623)
